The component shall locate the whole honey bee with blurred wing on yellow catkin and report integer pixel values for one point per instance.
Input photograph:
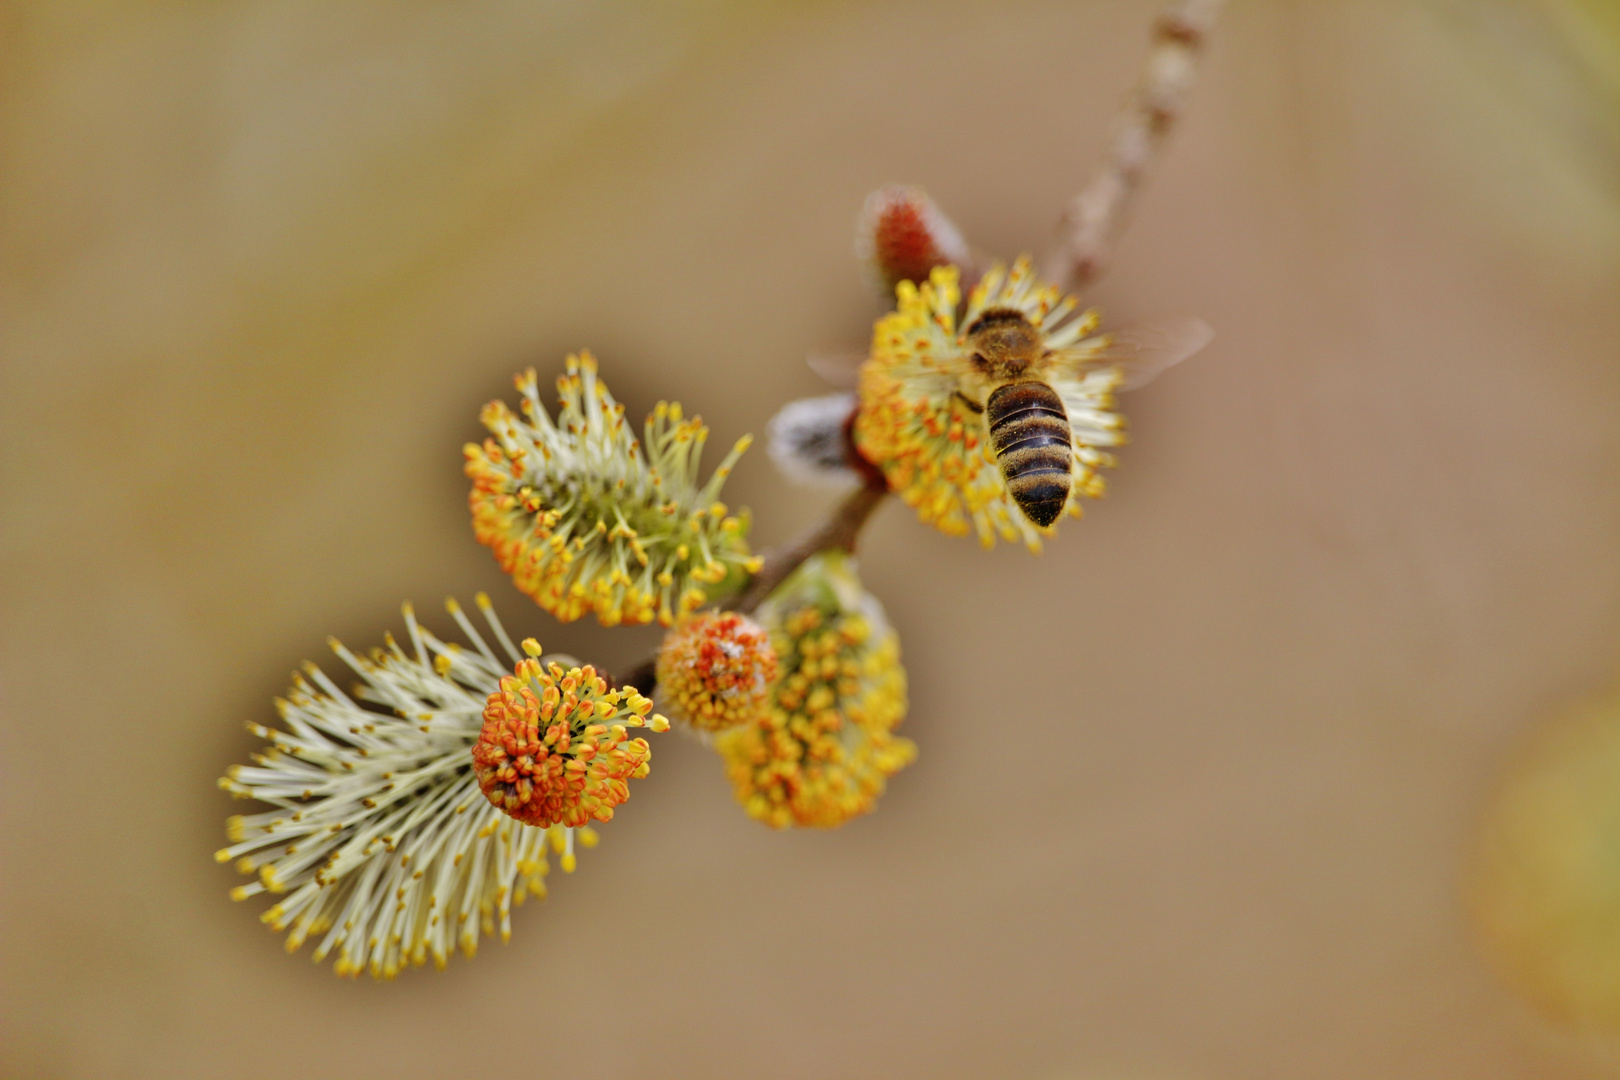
(1007, 376)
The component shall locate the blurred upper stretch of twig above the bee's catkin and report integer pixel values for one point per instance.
(1091, 226)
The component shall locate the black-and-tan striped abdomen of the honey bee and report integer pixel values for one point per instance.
(1030, 433)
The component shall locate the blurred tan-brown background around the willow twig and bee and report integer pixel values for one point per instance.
(1200, 788)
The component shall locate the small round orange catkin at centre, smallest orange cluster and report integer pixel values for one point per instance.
(717, 670)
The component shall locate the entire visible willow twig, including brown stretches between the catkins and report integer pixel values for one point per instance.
(1080, 257)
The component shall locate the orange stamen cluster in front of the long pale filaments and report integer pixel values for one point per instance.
(555, 749)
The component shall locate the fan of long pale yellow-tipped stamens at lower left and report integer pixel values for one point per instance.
(377, 841)
